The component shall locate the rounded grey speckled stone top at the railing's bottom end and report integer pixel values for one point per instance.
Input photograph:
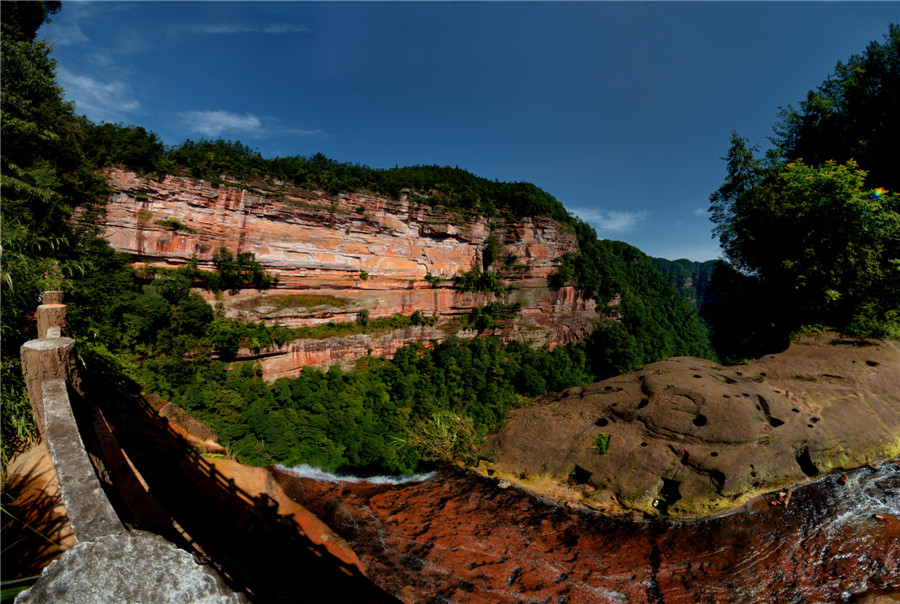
(129, 567)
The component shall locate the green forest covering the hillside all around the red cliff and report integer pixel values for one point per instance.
(155, 332)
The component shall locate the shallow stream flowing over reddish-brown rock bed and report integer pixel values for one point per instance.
(457, 537)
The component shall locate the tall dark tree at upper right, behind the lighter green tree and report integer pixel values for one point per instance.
(853, 115)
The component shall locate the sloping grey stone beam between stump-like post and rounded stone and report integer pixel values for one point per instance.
(90, 513)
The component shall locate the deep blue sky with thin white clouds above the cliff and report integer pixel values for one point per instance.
(622, 111)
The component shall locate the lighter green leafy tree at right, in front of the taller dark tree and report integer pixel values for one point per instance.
(824, 248)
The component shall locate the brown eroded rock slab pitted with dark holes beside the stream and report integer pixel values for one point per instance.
(687, 437)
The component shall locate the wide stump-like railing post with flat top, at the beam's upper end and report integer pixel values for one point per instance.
(44, 360)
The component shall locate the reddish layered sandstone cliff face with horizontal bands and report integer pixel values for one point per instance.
(336, 255)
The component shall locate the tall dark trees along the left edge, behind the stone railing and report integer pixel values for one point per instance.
(42, 177)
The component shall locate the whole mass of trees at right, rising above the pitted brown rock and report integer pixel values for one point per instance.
(816, 241)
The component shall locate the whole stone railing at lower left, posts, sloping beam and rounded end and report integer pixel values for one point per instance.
(110, 563)
